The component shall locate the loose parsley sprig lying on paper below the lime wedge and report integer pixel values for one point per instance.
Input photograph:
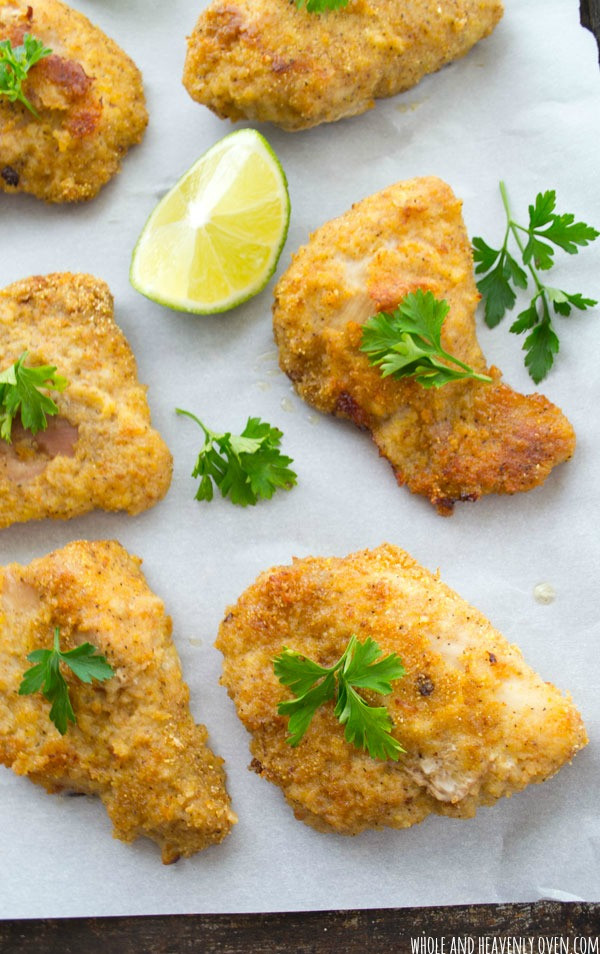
(245, 467)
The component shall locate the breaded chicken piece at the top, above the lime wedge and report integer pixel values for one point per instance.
(267, 60)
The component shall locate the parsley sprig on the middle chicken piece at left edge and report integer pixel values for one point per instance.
(20, 394)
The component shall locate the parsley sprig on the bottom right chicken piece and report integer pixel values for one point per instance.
(359, 667)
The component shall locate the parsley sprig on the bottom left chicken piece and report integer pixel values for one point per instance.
(46, 676)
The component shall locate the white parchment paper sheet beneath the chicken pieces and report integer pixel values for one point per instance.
(522, 106)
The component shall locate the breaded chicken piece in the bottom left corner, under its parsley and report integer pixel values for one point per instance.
(135, 743)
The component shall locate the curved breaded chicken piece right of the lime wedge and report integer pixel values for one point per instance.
(456, 443)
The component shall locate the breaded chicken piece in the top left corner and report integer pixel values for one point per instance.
(89, 98)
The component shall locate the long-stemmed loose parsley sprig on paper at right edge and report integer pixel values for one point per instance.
(502, 274)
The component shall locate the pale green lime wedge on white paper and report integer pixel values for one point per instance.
(214, 240)
